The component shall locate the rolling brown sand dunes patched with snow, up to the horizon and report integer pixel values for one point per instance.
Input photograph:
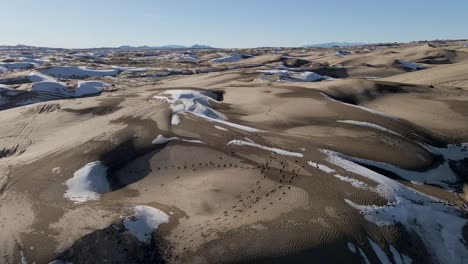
(284, 155)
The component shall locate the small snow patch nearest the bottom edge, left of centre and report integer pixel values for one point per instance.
(144, 222)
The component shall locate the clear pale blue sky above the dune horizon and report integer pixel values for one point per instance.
(227, 23)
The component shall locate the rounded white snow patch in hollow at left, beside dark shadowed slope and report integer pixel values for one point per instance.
(88, 183)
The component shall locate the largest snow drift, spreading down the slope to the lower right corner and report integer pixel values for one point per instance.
(439, 225)
